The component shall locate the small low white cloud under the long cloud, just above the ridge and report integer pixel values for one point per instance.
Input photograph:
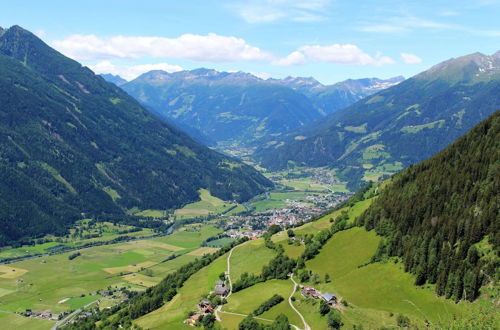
(130, 72)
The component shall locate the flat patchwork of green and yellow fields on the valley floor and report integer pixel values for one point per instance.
(134, 265)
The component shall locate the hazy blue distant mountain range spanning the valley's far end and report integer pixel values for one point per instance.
(240, 108)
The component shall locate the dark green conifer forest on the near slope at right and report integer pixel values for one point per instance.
(442, 215)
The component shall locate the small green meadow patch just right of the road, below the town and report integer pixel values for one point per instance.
(250, 257)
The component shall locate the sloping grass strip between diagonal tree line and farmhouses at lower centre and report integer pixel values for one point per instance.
(172, 314)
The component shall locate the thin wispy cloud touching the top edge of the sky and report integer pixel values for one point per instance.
(266, 11)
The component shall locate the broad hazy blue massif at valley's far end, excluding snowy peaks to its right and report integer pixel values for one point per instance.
(225, 106)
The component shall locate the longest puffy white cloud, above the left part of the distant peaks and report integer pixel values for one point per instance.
(208, 48)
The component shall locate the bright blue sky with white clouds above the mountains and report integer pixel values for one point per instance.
(330, 40)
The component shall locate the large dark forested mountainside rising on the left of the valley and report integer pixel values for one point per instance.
(71, 143)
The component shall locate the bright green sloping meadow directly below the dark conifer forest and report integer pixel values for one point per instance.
(378, 289)
